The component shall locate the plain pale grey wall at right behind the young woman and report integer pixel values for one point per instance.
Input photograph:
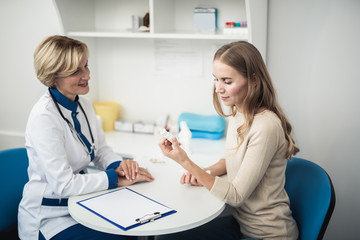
(313, 58)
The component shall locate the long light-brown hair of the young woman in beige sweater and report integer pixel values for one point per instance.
(247, 60)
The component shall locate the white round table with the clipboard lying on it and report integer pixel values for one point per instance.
(194, 205)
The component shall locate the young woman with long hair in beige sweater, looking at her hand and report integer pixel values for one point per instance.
(258, 144)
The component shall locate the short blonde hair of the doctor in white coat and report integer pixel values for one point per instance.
(58, 56)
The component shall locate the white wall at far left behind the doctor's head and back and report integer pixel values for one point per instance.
(23, 25)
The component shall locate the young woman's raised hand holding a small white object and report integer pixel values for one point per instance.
(173, 150)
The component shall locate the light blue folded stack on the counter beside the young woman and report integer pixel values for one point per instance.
(204, 126)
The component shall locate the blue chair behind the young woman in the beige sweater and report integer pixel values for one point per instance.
(312, 197)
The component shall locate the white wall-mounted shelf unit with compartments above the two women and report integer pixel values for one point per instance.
(169, 19)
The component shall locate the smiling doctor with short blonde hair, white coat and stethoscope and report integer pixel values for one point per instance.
(62, 138)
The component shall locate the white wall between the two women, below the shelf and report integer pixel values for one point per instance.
(127, 77)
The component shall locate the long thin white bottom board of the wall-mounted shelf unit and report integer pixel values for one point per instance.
(181, 35)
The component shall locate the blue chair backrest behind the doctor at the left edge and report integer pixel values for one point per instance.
(13, 176)
